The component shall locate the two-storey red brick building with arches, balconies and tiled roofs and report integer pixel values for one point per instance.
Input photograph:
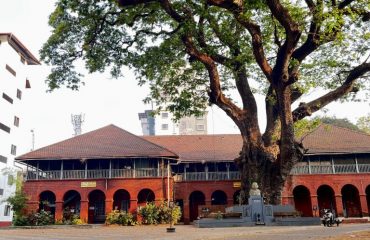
(110, 168)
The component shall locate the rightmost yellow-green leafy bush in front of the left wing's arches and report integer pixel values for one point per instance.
(153, 214)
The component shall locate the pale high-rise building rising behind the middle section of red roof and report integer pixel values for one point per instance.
(163, 124)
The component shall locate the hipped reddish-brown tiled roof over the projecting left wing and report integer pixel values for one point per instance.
(106, 142)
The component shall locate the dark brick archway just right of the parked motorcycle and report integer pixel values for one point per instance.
(351, 201)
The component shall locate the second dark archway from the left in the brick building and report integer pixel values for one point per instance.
(71, 204)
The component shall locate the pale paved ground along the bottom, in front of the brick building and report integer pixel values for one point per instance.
(188, 232)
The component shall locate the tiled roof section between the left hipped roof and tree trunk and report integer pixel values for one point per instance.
(201, 147)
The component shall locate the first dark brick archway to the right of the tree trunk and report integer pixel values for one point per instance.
(302, 201)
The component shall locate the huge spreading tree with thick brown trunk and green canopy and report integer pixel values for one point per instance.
(194, 52)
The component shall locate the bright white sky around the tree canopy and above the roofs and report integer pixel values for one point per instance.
(102, 100)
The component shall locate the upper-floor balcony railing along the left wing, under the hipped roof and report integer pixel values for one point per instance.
(95, 174)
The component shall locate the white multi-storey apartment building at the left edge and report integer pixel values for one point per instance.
(14, 83)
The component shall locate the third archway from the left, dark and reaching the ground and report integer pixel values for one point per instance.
(96, 206)
